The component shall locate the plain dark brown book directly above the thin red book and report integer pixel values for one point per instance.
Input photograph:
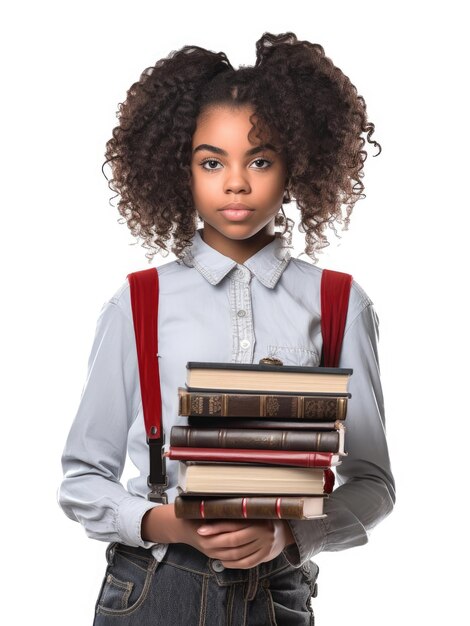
(272, 439)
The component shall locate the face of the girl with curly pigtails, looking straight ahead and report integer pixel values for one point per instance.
(237, 185)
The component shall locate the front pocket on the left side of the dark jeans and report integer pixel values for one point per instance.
(127, 580)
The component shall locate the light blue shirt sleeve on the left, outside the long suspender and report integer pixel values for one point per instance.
(95, 451)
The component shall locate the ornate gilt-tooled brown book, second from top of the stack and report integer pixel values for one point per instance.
(320, 407)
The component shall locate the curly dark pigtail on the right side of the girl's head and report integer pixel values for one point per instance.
(324, 129)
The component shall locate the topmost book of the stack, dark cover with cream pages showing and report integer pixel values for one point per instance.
(261, 378)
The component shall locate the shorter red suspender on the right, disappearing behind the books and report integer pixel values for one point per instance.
(335, 288)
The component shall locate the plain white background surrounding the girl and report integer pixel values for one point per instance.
(65, 68)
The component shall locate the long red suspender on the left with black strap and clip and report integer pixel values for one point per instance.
(144, 300)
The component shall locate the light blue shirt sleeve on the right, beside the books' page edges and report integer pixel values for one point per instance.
(365, 494)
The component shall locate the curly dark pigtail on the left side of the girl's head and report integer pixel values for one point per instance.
(150, 150)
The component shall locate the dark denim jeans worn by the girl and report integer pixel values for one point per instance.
(189, 589)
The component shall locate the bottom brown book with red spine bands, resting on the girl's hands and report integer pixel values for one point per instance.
(254, 507)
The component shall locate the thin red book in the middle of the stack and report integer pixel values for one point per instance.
(267, 457)
